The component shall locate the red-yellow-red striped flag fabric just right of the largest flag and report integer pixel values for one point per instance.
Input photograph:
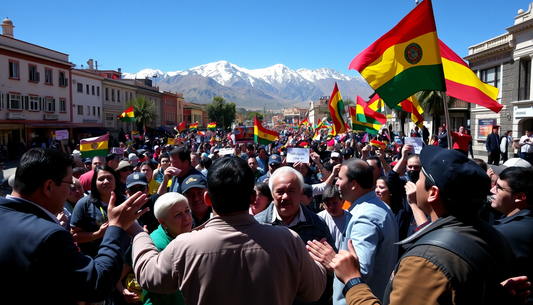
(462, 83)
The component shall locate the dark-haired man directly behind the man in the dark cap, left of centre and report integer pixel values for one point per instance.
(181, 168)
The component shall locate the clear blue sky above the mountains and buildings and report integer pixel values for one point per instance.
(181, 34)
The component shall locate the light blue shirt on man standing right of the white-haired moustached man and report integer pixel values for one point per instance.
(373, 231)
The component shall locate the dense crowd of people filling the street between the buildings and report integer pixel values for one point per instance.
(203, 220)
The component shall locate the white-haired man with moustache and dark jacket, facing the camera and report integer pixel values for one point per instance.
(287, 187)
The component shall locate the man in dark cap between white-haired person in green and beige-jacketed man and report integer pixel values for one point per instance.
(194, 188)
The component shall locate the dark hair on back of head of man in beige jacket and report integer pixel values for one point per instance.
(230, 183)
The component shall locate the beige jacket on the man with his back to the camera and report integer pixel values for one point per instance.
(231, 260)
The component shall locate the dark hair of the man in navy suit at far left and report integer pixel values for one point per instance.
(38, 165)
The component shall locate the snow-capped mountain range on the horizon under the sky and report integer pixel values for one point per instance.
(275, 87)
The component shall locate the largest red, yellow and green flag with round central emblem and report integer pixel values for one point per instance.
(406, 59)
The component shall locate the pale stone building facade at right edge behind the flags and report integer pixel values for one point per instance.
(505, 62)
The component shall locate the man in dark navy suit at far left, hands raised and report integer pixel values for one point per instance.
(39, 261)
